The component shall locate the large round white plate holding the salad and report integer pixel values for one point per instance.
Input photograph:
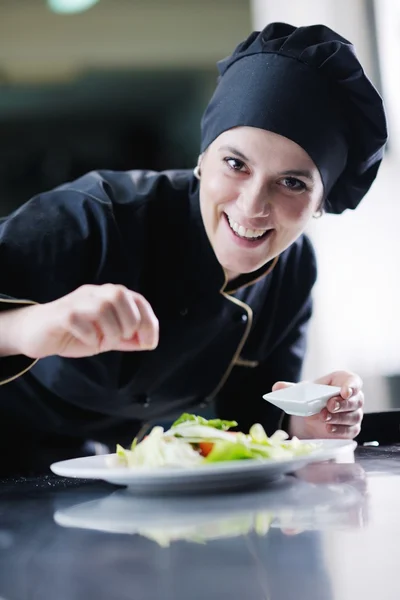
(203, 478)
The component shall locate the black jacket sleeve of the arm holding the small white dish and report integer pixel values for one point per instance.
(241, 397)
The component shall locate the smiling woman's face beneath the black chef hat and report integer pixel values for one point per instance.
(258, 191)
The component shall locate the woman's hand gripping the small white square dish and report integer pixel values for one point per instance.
(343, 414)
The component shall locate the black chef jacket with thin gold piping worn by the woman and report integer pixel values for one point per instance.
(226, 344)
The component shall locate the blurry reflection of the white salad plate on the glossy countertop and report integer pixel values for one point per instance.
(307, 502)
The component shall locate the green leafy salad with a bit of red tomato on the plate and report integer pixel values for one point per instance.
(193, 440)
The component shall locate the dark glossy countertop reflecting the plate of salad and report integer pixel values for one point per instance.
(331, 533)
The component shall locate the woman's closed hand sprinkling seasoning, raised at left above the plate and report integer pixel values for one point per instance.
(88, 321)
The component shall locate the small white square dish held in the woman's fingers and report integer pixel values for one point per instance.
(303, 399)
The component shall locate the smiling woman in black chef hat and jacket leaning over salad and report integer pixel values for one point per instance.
(129, 296)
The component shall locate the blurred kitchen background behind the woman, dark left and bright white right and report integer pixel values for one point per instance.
(122, 84)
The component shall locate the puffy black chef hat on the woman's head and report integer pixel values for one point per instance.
(306, 84)
